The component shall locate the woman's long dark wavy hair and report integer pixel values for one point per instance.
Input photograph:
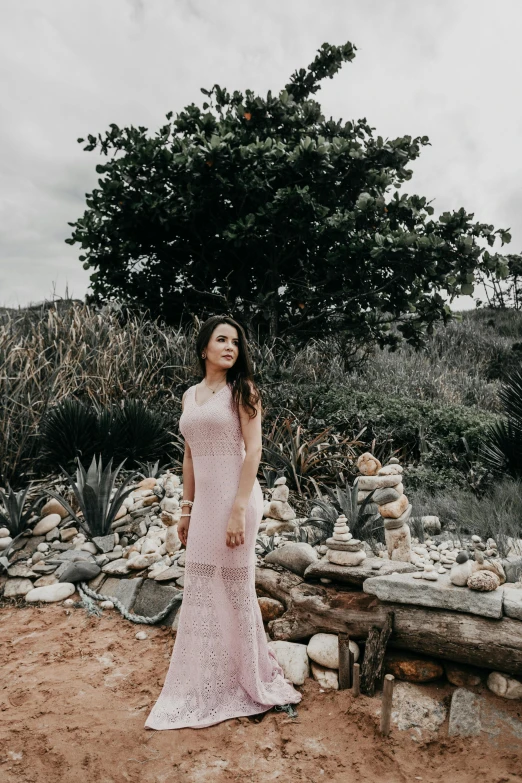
(240, 375)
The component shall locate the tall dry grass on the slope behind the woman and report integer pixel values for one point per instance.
(69, 349)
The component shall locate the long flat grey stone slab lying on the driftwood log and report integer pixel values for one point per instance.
(403, 588)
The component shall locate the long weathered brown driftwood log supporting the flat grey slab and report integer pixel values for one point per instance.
(455, 636)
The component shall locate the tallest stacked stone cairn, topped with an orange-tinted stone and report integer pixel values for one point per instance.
(390, 500)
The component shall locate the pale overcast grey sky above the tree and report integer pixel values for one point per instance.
(448, 69)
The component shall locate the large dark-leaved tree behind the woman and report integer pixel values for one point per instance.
(262, 208)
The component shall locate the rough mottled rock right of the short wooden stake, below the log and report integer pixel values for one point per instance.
(412, 709)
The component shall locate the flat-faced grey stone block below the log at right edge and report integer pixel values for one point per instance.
(476, 716)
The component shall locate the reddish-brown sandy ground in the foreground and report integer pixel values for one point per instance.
(76, 690)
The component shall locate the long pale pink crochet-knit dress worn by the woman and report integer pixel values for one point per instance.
(221, 666)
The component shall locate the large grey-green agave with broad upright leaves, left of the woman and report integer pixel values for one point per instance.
(93, 490)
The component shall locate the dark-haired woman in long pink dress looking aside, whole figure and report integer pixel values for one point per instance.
(221, 666)
